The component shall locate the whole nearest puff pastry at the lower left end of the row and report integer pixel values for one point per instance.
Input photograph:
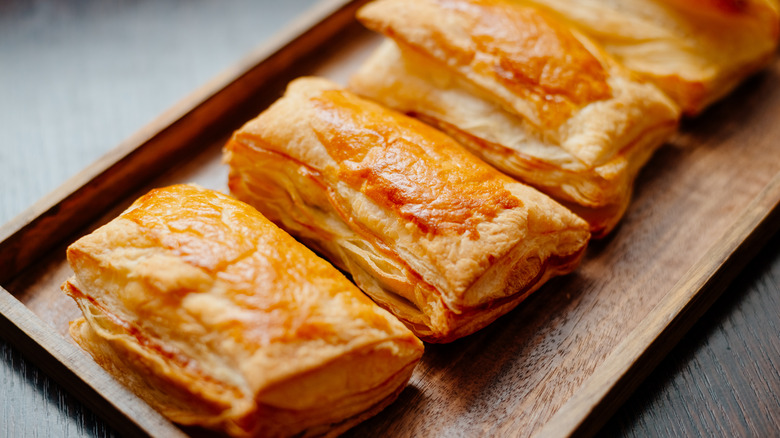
(217, 318)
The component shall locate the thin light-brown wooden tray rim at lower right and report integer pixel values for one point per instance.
(632, 360)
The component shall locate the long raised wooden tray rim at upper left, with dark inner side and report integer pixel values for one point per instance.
(91, 192)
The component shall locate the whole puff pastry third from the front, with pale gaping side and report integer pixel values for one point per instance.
(527, 93)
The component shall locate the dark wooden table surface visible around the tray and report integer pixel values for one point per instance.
(77, 77)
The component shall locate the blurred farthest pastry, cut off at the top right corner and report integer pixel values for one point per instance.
(695, 50)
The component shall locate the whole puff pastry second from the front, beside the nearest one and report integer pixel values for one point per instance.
(429, 231)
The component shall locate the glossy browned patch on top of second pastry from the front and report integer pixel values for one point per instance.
(409, 167)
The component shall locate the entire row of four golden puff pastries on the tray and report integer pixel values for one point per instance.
(469, 160)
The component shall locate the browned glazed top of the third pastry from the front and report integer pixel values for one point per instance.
(533, 56)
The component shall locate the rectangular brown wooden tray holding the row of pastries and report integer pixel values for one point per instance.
(560, 364)
